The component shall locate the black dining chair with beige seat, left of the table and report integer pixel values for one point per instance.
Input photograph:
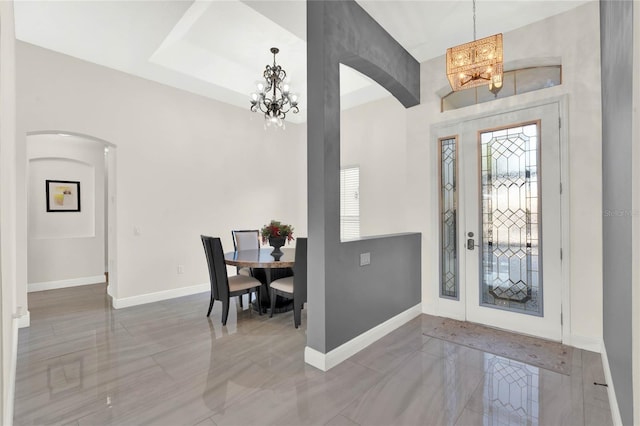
(224, 287)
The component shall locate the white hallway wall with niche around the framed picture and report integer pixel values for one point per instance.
(65, 246)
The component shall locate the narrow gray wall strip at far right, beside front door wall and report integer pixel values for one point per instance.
(616, 28)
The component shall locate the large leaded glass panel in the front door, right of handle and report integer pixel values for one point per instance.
(510, 256)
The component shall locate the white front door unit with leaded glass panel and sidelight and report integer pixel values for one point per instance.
(500, 246)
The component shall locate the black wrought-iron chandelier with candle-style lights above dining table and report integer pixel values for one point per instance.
(273, 97)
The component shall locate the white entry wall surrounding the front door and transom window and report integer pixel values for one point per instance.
(573, 38)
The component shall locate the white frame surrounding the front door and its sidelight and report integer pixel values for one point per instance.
(443, 306)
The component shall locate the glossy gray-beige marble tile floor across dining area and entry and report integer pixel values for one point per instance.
(165, 363)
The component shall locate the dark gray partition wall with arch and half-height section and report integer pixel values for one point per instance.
(344, 298)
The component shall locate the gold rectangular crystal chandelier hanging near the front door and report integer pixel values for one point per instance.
(476, 63)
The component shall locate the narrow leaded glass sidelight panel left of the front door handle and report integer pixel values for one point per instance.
(448, 205)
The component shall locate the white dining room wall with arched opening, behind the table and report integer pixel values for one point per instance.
(186, 165)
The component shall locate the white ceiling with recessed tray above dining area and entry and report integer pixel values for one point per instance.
(219, 48)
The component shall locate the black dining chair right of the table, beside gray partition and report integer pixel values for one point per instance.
(294, 287)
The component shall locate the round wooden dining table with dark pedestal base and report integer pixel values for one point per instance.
(266, 267)
